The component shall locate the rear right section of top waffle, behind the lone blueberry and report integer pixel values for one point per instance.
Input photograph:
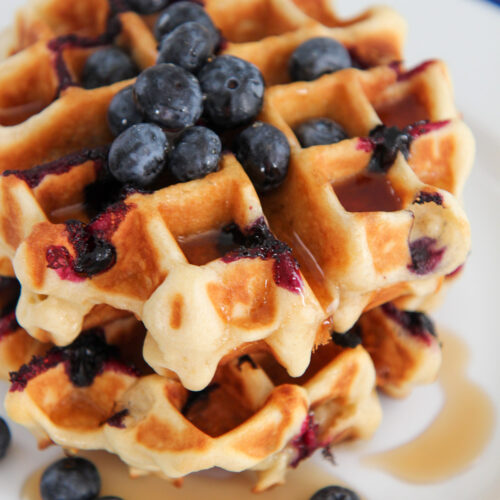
(273, 29)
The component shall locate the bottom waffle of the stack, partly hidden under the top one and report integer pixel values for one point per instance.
(252, 416)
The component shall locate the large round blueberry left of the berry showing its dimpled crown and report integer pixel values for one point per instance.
(169, 96)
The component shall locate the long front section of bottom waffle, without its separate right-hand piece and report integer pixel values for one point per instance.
(253, 416)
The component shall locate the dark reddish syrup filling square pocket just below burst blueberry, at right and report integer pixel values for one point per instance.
(367, 192)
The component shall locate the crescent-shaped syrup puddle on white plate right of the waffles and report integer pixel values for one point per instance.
(456, 437)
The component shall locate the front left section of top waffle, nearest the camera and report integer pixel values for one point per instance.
(158, 275)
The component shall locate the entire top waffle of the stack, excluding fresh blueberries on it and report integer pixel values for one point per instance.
(250, 296)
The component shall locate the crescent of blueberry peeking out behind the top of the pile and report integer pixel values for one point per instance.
(184, 12)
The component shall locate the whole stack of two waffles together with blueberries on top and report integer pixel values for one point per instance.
(227, 222)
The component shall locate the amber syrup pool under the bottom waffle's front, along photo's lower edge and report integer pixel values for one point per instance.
(301, 483)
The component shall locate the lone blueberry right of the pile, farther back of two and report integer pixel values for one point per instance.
(316, 57)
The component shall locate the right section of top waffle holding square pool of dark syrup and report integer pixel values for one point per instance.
(350, 265)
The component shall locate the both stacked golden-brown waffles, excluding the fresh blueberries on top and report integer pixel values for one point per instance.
(241, 321)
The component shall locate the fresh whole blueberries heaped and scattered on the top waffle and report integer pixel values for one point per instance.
(169, 123)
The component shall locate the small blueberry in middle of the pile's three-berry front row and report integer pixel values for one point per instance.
(196, 154)
